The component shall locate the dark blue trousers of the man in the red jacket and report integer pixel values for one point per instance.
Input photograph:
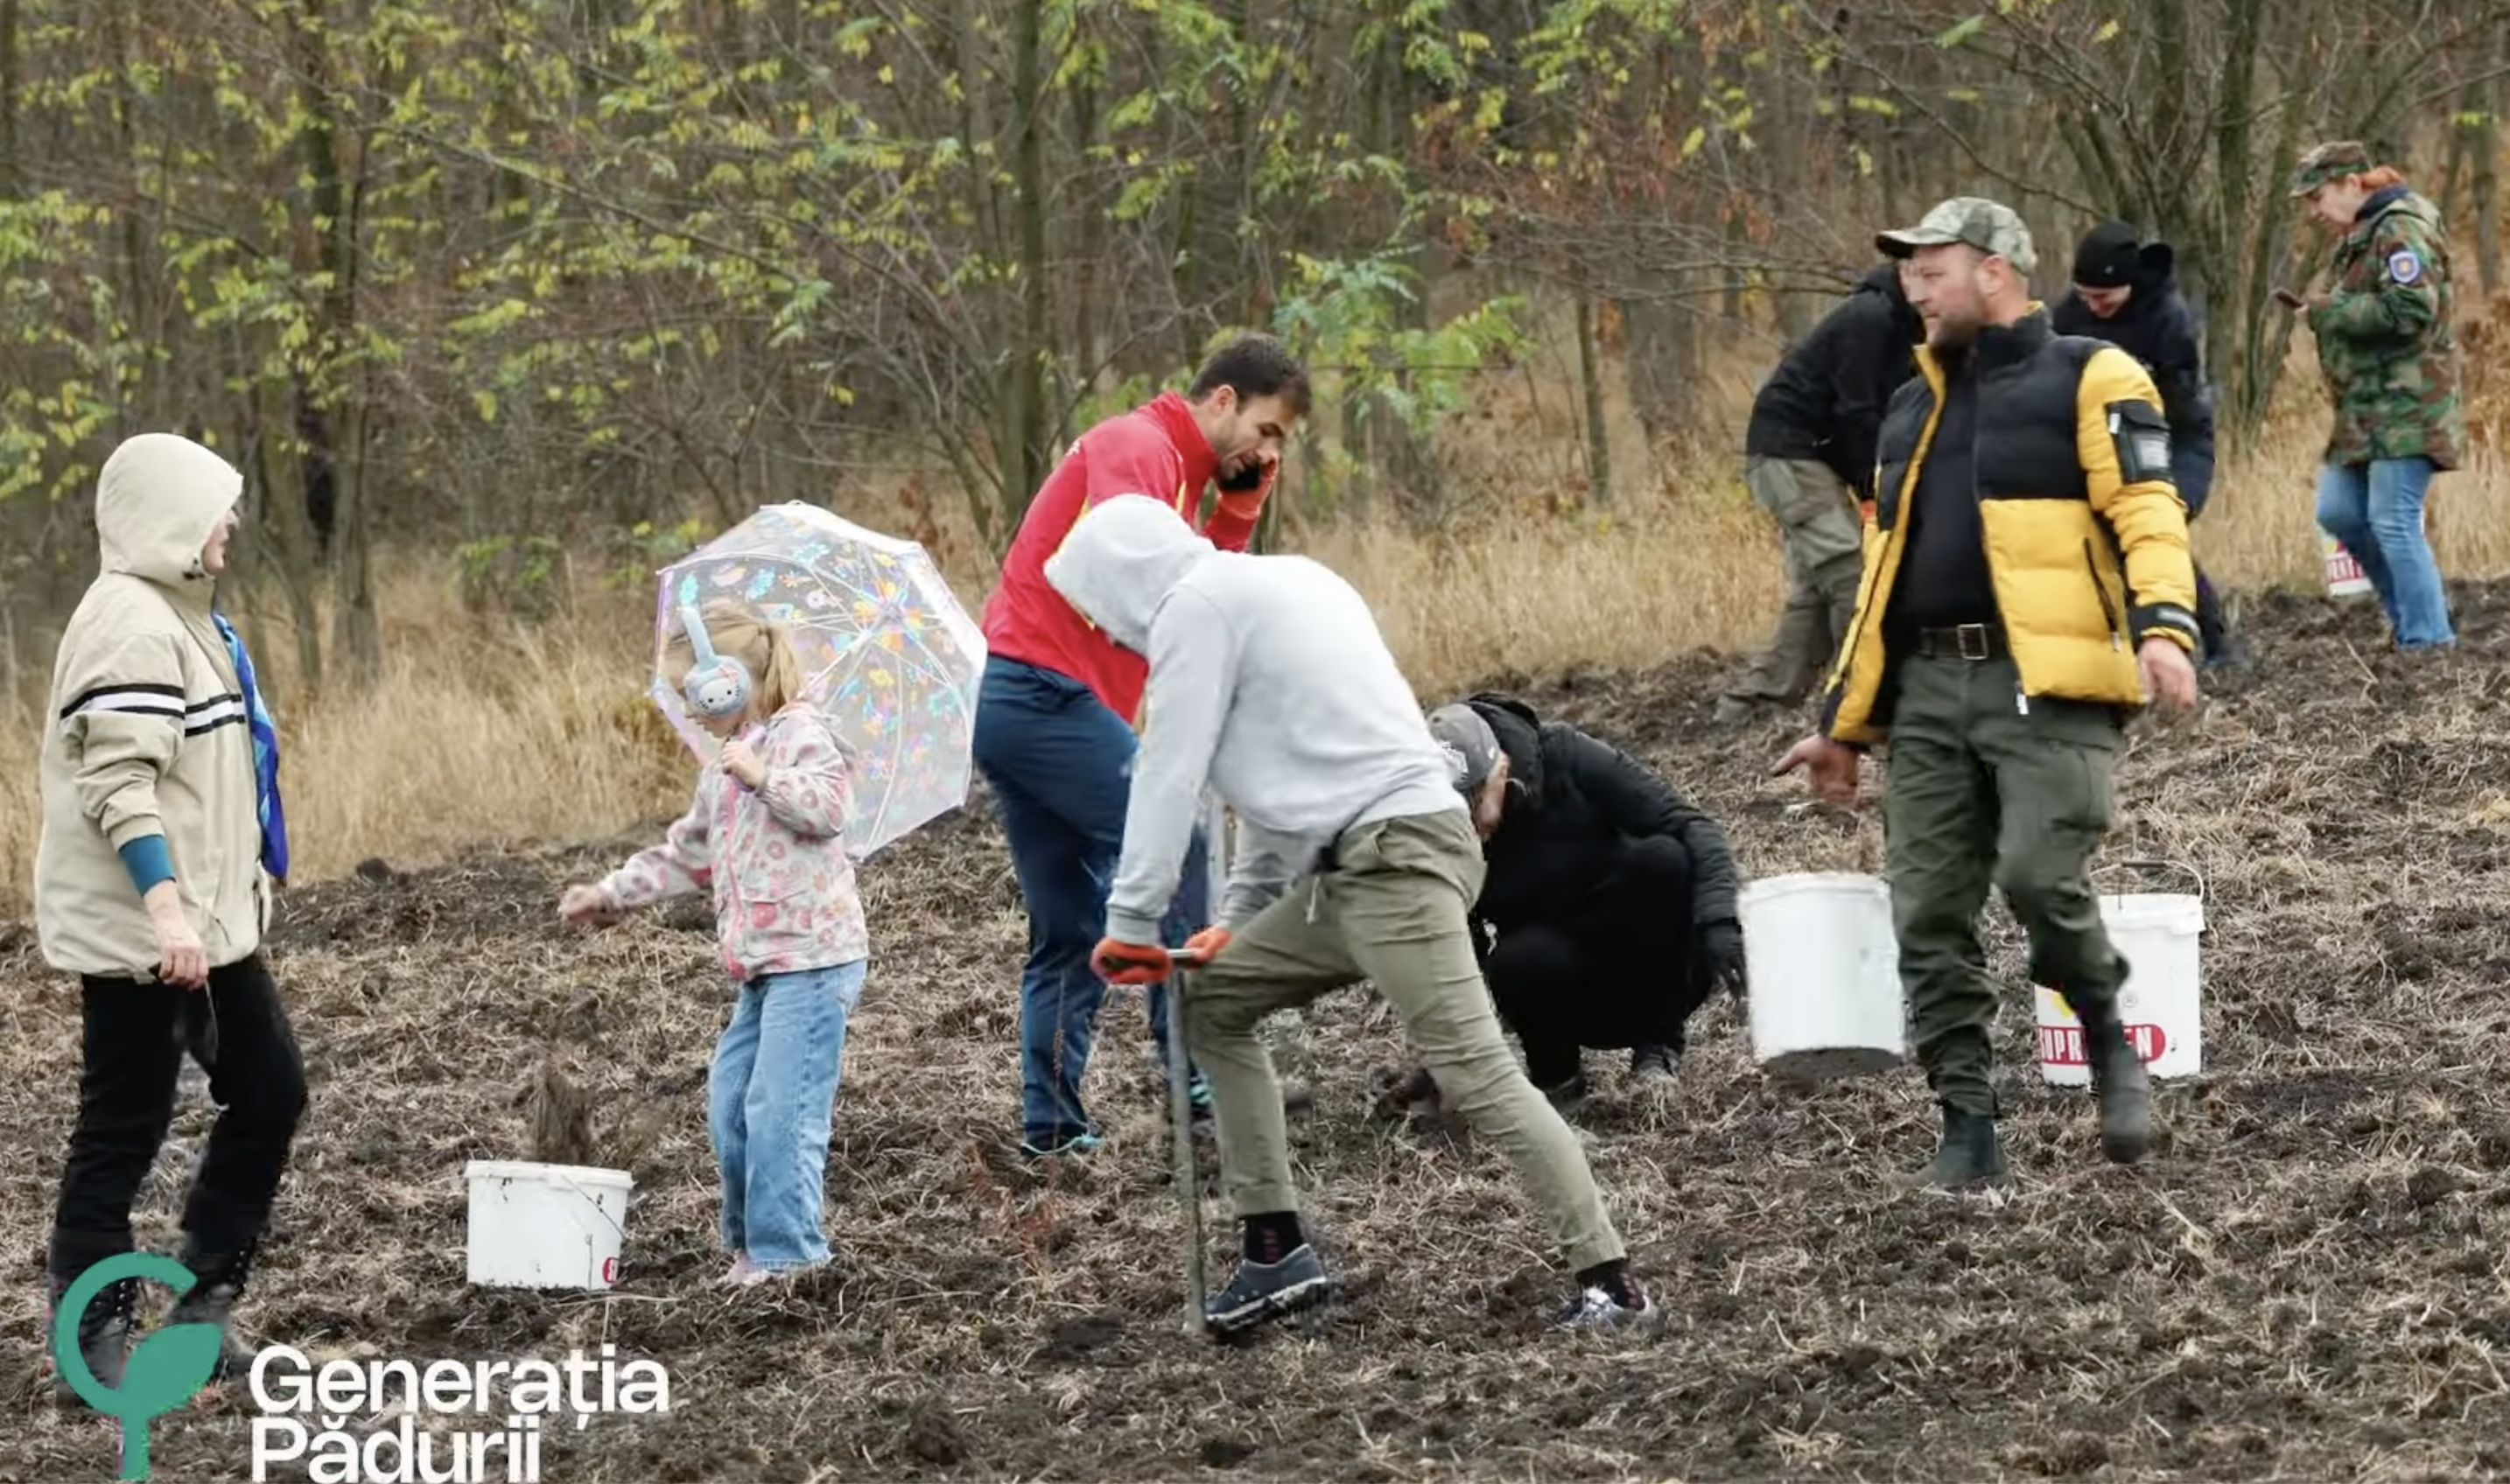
(1060, 767)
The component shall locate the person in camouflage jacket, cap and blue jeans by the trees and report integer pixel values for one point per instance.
(2391, 363)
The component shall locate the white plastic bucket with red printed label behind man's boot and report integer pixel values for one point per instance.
(2157, 935)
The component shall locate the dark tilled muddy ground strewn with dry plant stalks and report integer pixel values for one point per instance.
(2305, 1282)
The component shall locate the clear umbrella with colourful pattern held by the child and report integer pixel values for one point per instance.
(885, 649)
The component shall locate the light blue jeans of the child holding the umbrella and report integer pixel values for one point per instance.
(769, 1101)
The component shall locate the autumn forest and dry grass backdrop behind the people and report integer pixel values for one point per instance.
(506, 303)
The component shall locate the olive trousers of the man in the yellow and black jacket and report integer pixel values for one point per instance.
(1984, 790)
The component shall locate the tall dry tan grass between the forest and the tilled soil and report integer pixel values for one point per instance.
(486, 732)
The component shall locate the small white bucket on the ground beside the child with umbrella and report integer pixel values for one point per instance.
(546, 1227)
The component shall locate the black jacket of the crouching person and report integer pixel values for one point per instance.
(1573, 805)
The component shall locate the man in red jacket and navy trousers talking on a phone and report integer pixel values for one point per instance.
(1055, 717)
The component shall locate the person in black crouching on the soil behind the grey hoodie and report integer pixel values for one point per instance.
(1608, 908)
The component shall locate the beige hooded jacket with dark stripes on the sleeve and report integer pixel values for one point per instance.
(149, 732)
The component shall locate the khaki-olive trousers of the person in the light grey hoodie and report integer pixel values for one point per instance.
(1394, 913)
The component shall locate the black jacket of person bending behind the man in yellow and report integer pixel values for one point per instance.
(1826, 398)
